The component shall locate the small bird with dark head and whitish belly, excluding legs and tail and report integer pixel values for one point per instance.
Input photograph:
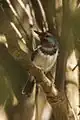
(46, 53)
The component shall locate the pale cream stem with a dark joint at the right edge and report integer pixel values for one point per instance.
(72, 85)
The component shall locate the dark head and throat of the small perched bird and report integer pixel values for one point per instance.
(49, 43)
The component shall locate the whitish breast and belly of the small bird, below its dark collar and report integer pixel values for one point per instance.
(45, 62)
